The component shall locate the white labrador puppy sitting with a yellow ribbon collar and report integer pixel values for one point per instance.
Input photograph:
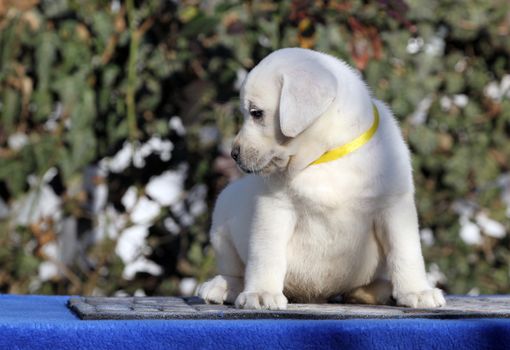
(329, 208)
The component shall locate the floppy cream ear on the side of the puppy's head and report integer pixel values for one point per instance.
(307, 92)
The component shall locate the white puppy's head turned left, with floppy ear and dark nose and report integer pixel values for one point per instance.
(280, 98)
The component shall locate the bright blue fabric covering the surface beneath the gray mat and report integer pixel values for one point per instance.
(44, 322)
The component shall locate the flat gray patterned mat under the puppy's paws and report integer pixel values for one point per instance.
(101, 308)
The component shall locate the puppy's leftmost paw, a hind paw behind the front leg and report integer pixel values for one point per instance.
(220, 289)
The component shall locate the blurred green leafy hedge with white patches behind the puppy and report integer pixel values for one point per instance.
(117, 117)
